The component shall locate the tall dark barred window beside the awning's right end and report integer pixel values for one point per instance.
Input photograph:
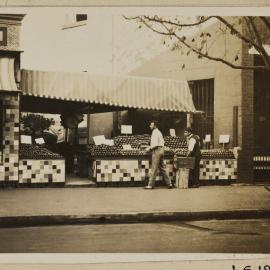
(203, 97)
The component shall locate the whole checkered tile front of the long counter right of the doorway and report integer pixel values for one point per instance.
(136, 170)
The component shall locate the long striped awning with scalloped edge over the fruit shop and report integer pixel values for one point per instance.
(120, 91)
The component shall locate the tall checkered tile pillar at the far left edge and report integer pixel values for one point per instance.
(10, 155)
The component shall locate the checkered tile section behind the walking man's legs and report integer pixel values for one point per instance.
(129, 170)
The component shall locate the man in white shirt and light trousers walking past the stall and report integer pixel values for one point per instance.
(157, 148)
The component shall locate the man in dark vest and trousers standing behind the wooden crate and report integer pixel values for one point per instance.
(194, 151)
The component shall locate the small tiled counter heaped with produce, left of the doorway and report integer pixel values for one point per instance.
(38, 165)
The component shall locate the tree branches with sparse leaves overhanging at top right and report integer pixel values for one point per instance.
(252, 31)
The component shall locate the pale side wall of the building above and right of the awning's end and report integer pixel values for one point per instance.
(227, 81)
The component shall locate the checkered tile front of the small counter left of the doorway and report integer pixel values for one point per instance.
(41, 171)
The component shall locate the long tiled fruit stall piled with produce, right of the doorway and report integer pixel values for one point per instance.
(113, 164)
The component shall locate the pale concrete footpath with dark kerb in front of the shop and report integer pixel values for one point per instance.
(51, 206)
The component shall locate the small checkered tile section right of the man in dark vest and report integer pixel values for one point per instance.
(218, 169)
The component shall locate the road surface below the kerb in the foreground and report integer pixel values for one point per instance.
(215, 236)
